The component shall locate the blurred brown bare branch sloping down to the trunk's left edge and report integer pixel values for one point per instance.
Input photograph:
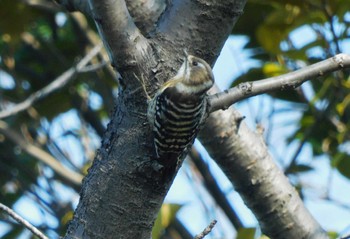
(40, 154)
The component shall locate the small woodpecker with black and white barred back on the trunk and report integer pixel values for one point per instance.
(179, 107)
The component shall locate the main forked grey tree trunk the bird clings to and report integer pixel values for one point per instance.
(125, 187)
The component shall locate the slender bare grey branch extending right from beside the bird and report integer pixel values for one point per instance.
(291, 80)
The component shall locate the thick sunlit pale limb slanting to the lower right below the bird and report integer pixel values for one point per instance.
(244, 157)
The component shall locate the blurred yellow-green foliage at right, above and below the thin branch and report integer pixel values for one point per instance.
(275, 35)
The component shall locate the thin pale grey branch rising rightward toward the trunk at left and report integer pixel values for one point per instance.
(58, 83)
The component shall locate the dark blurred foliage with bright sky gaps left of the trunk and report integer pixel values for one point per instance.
(37, 44)
